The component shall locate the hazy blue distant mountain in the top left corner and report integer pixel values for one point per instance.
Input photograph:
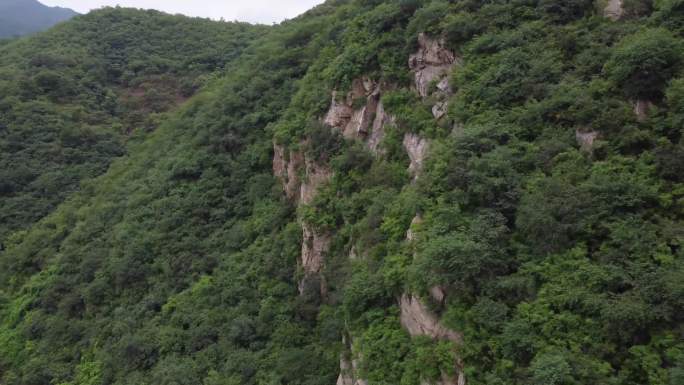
(21, 17)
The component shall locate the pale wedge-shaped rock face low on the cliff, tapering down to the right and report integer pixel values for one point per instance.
(417, 319)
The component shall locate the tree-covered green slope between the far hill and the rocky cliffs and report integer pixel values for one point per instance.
(197, 287)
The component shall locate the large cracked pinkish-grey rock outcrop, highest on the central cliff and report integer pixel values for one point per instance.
(431, 62)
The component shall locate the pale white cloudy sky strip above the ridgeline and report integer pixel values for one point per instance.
(254, 11)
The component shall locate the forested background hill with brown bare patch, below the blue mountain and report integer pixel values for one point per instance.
(70, 97)
